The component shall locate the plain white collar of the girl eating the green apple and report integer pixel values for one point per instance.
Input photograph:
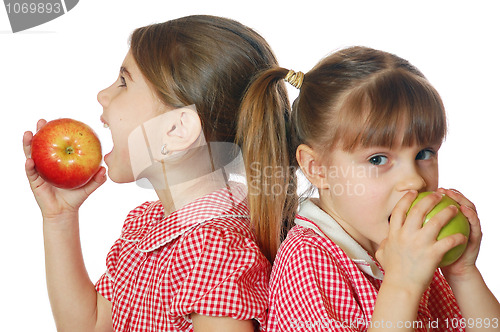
(324, 225)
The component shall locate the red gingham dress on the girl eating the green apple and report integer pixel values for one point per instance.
(316, 286)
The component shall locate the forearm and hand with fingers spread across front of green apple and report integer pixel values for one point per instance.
(410, 256)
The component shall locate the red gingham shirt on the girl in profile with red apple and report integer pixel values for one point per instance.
(202, 258)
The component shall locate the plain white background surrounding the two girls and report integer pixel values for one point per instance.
(56, 70)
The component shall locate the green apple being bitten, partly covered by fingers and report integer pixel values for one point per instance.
(459, 224)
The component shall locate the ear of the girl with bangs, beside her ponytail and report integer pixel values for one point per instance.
(311, 166)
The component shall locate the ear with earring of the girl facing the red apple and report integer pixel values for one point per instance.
(183, 129)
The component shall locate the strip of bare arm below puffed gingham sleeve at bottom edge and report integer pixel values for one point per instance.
(203, 323)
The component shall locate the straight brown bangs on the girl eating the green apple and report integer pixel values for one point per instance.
(394, 108)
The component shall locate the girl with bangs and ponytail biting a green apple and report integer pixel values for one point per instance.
(365, 130)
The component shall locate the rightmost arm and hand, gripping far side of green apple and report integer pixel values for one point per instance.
(477, 303)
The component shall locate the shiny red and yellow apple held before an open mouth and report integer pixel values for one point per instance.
(67, 153)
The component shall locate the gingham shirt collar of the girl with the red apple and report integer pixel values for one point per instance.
(156, 231)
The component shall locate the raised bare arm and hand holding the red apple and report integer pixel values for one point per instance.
(76, 305)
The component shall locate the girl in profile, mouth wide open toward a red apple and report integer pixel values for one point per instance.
(188, 261)
